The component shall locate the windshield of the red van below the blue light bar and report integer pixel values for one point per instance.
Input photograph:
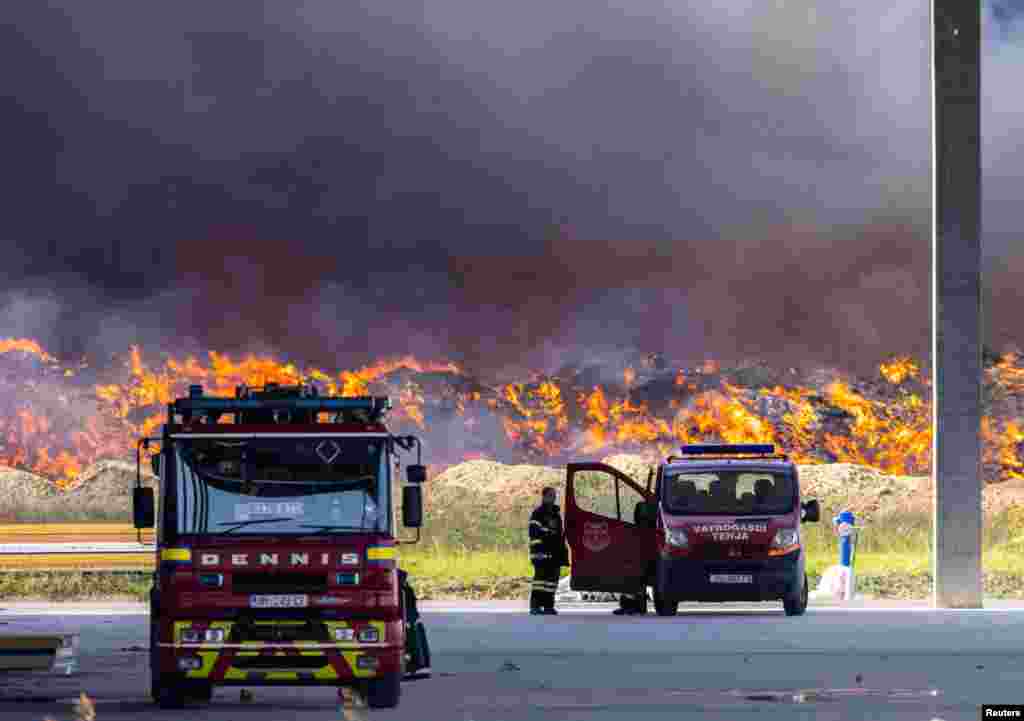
(732, 492)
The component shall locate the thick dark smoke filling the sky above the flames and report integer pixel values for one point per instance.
(504, 187)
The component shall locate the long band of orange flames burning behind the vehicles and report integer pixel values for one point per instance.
(882, 426)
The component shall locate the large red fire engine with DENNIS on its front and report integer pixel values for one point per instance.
(277, 548)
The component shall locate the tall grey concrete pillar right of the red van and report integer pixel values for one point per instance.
(957, 303)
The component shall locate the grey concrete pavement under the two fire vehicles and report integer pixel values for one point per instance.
(494, 662)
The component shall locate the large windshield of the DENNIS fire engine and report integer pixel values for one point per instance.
(282, 486)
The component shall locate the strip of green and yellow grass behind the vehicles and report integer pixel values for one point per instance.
(473, 552)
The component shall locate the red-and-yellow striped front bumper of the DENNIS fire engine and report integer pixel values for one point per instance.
(286, 664)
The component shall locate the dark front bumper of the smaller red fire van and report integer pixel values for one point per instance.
(690, 580)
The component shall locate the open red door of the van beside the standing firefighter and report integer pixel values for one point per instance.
(611, 553)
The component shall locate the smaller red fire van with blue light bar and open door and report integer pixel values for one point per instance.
(722, 524)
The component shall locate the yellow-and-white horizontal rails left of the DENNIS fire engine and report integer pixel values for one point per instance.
(74, 547)
